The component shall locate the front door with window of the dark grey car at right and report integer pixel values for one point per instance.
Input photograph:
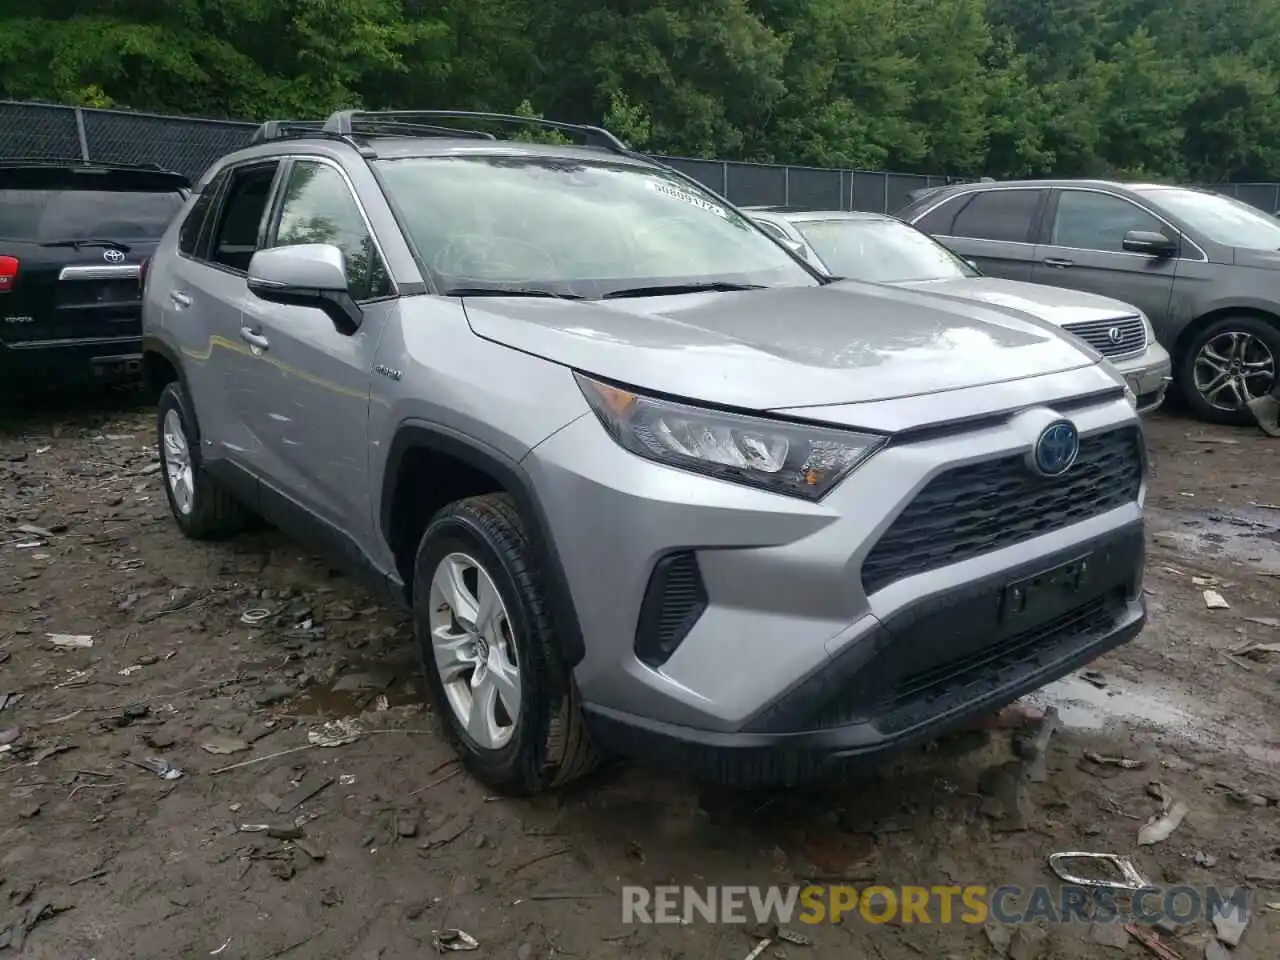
(1082, 250)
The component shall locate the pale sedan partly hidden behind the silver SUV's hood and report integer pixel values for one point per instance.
(879, 249)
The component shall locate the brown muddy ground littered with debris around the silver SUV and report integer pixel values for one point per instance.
(102, 857)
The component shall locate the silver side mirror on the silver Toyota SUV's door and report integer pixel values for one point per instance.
(307, 276)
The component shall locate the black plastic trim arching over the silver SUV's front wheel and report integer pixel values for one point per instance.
(516, 482)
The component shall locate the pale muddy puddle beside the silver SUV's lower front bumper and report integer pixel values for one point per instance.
(1082, 706)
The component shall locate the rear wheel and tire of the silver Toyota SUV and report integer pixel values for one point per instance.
(202, 508)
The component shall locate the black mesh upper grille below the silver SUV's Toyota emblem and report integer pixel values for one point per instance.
(982, 508)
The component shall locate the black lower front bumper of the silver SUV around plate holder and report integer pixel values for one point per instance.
(938, 664)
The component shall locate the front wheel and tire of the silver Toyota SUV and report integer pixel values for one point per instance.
(490, 653)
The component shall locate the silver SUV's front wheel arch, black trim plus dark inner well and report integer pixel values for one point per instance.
(418, 446)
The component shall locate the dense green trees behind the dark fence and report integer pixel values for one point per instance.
(1176, 89)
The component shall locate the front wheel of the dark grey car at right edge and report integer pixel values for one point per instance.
(1228, 364)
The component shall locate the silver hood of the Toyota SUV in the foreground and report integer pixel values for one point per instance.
(784, 348)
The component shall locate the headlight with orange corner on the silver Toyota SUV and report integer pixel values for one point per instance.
(790, 459)
